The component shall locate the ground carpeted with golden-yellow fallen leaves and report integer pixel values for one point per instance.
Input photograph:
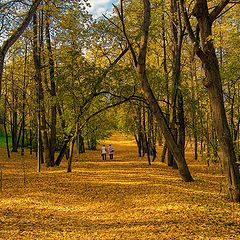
(120, 199)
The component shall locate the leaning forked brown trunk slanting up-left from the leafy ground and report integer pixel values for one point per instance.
(141, 70)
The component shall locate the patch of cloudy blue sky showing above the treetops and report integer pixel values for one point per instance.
(98, 7)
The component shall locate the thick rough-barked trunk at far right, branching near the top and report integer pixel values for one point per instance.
(206, 52)
